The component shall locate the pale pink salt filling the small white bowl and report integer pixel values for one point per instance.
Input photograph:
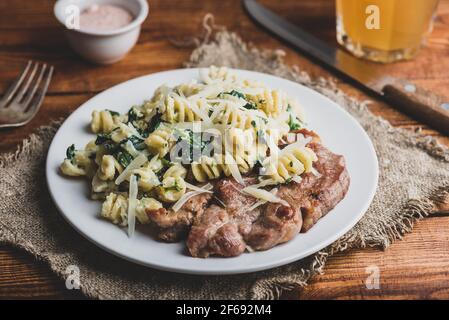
(105, 18)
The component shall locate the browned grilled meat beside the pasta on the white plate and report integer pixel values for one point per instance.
(228, 231)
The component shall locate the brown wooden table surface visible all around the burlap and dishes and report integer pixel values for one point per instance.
(416, 267)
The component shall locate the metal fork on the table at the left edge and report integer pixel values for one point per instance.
(23, 99)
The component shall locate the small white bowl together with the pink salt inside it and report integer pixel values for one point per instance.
(102, 36)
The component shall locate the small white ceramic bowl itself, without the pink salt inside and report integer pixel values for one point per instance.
(102, 47)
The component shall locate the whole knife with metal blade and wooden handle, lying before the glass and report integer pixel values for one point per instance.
(419, 103)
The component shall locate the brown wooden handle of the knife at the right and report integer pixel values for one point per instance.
(423, 105)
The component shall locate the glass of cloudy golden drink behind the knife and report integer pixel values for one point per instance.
(384, 30)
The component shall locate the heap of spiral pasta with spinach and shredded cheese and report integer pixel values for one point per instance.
(233, 126)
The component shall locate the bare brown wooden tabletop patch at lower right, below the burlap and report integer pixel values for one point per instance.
(422, 273)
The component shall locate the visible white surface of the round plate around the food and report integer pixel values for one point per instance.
(339, 131)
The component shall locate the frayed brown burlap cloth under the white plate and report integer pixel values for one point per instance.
(414, 177)
